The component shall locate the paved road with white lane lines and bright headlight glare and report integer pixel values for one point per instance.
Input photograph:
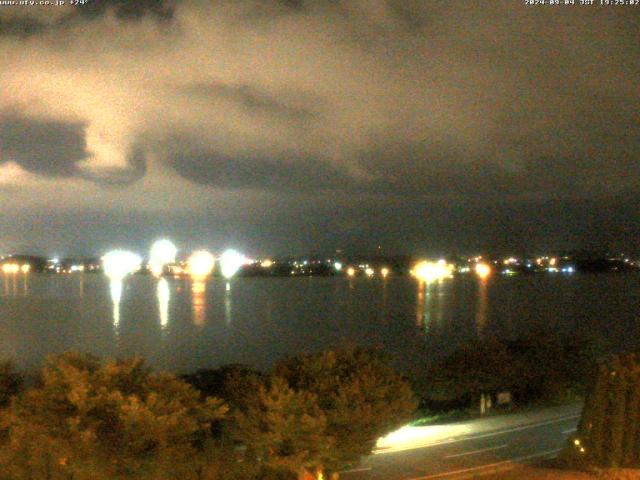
(469, 449)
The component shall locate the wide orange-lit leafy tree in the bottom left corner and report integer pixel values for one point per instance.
(87, 419)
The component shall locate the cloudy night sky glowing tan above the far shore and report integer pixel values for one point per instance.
(286, 127)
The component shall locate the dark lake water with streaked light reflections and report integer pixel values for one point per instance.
(180, 325)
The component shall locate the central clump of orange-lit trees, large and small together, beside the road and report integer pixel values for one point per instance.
(323, 410)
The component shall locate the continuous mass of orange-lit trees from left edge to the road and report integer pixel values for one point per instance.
(86, 419)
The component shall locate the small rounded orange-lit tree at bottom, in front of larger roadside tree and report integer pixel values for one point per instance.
(283, 429)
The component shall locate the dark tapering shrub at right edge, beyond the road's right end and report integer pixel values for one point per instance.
(609, 431)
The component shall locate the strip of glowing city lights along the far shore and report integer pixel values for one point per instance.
(201, 264)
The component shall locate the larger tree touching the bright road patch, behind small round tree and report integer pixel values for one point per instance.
(361, 396)
